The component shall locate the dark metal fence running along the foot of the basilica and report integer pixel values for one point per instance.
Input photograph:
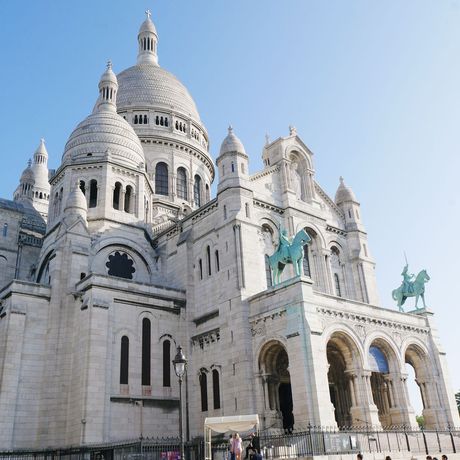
(274, 445)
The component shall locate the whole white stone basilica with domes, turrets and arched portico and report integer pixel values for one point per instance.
(122, 254)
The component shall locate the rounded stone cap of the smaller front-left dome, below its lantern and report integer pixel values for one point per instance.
(102, 135)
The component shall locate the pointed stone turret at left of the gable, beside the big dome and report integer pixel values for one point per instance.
(233, 162)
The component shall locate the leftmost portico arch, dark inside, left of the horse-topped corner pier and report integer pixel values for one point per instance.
(277, 391)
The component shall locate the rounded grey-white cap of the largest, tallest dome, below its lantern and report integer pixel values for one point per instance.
(147, 85)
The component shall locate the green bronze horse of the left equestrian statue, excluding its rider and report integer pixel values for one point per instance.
(292, 253)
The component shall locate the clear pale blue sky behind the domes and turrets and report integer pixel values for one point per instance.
(372, 87)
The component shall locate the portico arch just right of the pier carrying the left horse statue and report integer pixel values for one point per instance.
(342, 356)
